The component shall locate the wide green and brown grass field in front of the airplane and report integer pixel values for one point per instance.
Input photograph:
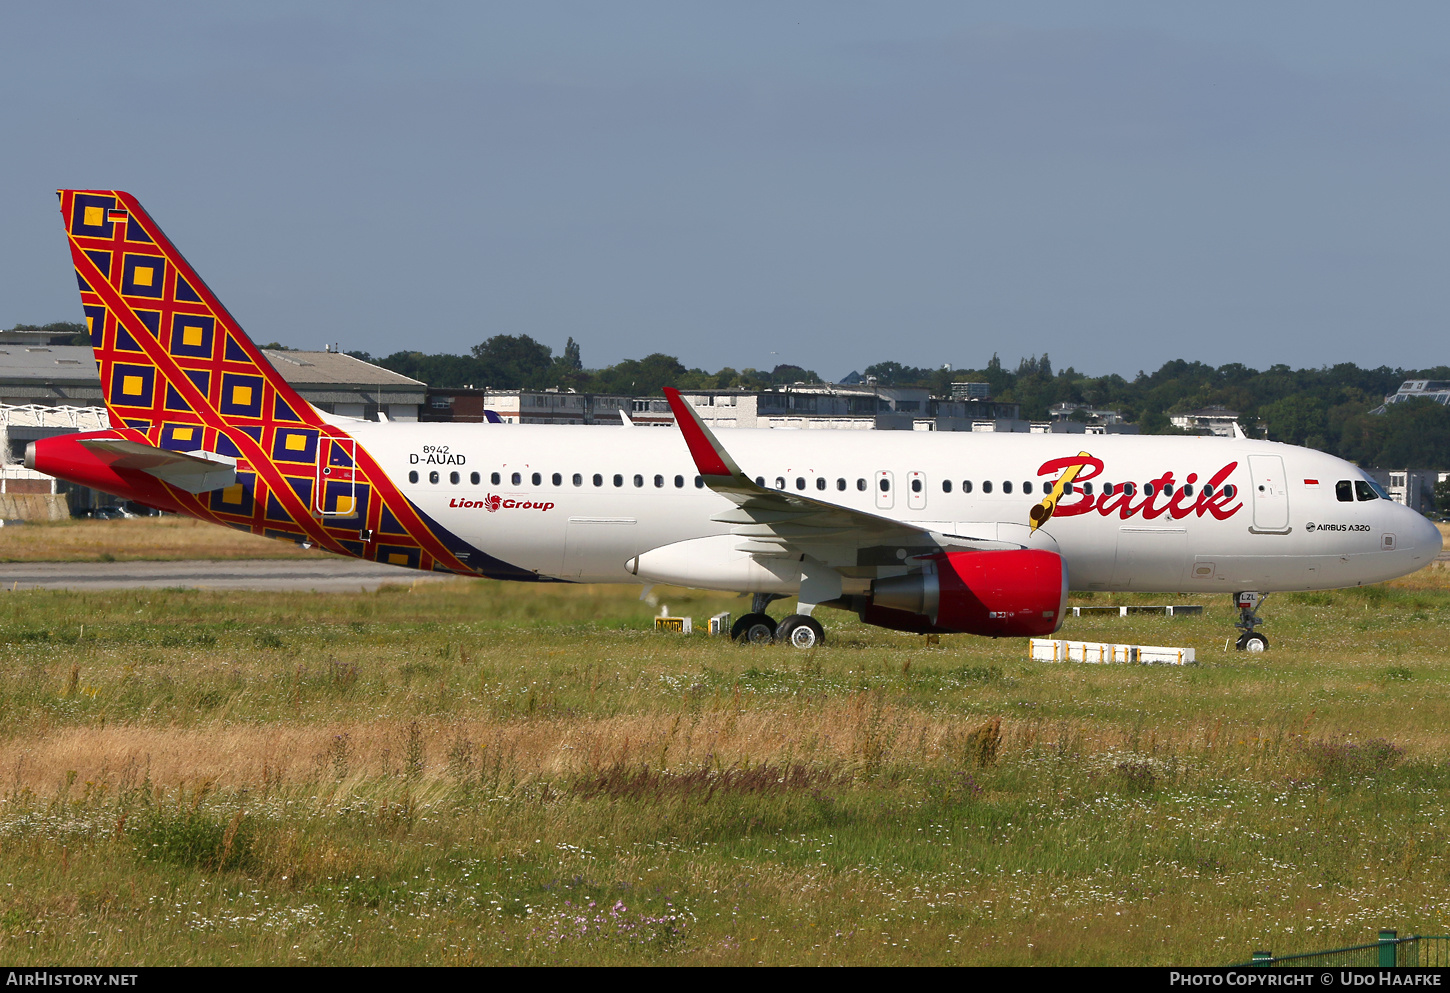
(481, 773)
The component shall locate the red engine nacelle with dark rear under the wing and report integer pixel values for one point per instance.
(1016, 594)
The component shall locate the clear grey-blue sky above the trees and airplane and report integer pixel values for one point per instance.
(826, 185)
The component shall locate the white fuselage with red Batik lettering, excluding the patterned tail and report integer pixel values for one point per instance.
(1285, 527)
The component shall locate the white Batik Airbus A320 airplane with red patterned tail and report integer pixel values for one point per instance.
(923, 533)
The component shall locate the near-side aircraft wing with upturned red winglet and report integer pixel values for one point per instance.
(775, 523)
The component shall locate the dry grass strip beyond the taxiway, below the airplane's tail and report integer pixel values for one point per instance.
(163, 539)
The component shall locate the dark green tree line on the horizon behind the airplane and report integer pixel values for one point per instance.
(1325, 408)
